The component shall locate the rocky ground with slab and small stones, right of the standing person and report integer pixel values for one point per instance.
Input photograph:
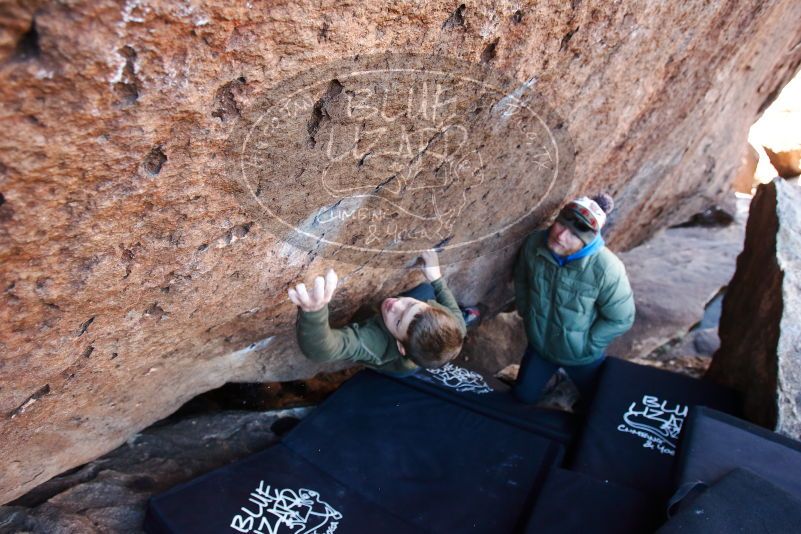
(679, 279)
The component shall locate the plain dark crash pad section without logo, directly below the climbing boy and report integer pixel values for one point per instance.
(440, 466)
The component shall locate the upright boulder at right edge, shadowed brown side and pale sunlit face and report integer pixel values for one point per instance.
(760, 353)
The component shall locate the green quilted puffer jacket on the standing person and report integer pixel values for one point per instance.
(571, 313)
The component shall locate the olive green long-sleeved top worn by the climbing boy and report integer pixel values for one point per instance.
(369, 342)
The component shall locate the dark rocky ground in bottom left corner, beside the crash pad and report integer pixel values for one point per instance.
(110, 493)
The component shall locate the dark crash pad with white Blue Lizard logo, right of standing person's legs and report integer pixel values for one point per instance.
(634, 423)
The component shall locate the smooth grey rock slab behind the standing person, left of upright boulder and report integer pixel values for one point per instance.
(673, 277)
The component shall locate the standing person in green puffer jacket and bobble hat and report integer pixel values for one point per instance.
(574, 297)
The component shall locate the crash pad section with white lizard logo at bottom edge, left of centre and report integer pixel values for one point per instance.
(274, 491)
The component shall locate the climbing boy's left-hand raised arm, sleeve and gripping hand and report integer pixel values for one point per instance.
(318, 341)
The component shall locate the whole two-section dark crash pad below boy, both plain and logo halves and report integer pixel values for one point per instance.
(379, 448)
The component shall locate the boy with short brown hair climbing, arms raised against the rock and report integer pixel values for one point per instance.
(425, 328)
